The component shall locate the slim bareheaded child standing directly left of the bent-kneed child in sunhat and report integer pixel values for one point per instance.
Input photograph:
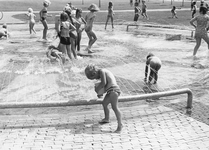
(79, 27)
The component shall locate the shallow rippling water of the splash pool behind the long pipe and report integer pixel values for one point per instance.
(27, 75)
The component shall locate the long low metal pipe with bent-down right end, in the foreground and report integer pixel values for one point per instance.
(99, 101)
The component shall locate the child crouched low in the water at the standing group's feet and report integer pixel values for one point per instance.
(53, 53)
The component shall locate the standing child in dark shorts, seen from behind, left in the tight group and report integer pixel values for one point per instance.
(65, 28)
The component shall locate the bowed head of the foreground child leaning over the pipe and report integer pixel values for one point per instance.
(91, 72)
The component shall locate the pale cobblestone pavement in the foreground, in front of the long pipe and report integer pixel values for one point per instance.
(145, 127)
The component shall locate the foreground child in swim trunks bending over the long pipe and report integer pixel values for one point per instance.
(108, 82)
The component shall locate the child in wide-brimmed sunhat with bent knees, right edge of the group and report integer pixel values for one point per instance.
(89, 25)
